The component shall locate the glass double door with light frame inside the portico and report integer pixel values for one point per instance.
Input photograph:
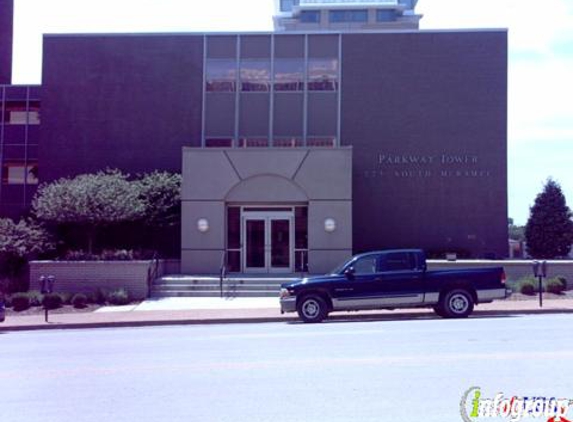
(268, 246)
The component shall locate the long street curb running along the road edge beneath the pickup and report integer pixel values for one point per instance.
(349, 317)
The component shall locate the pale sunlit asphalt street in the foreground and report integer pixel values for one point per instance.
(336, 371)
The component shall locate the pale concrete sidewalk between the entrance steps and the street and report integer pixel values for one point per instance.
(219, 311)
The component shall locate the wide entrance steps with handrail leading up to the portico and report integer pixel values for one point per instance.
(239, 285)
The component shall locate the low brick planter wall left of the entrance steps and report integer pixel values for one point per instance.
(89, 276)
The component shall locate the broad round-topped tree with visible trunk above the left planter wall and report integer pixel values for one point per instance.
(89, 202)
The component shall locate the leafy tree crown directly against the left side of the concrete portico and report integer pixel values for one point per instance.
(161, 196)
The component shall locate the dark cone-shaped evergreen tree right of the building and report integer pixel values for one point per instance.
(549, 230)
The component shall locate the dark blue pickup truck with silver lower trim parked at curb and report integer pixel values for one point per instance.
(393, 279)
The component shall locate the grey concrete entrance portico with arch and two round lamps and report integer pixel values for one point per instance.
(264, 208)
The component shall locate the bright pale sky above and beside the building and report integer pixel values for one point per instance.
(540, 86)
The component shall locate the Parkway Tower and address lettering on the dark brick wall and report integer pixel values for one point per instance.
(425, 166)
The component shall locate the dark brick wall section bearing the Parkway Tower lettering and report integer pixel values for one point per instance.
(438, 96)
